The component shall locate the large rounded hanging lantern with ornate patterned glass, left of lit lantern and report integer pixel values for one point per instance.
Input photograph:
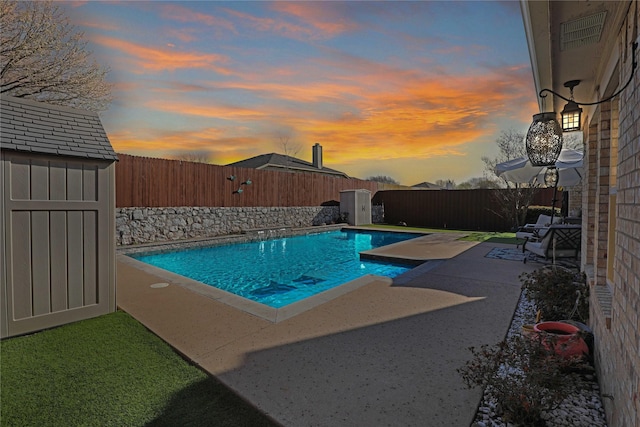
(544, 140)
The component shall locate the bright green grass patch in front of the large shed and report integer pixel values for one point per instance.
(110, 371)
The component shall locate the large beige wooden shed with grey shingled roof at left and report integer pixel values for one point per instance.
(57, 216)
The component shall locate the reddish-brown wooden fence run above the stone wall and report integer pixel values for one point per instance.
(148, 182)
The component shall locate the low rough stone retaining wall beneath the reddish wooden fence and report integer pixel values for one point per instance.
(148, 225)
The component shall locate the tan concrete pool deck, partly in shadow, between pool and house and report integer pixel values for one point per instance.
(383, 353)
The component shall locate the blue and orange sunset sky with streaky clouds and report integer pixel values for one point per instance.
(417, 91)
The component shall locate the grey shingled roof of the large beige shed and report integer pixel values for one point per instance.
(36, 127)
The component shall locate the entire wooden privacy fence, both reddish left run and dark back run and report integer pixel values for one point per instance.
(148, 182)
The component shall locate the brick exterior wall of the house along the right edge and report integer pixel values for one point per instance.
(615, 304)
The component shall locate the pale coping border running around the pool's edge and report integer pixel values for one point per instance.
(260, 310)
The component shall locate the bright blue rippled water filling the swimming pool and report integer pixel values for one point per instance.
(282, 271)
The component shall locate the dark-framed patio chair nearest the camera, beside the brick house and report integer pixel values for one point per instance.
(559, 241)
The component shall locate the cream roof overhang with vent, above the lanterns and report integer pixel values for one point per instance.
(592, 60)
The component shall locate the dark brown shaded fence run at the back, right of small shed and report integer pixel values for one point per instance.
(458, 209)
